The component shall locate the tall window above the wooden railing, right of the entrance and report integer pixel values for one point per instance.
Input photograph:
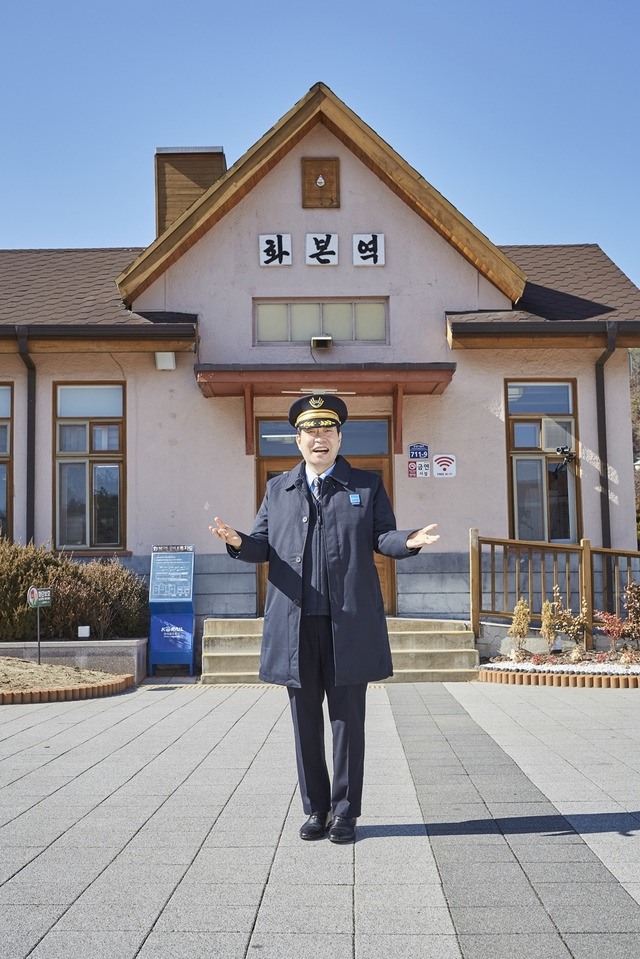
(542, 441)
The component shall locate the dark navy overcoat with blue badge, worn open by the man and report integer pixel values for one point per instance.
(358, 520)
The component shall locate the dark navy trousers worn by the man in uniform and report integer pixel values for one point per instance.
(346, 705)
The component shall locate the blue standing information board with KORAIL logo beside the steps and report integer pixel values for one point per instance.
(171, 606)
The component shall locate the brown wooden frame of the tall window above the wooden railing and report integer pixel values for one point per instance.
(546, 455)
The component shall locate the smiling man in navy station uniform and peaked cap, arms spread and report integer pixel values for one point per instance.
(325, 630)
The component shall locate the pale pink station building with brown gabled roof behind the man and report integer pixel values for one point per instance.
(145, 391)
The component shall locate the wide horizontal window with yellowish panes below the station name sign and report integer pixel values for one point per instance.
(296, 321)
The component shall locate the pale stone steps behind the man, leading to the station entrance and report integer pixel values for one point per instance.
(424, 651)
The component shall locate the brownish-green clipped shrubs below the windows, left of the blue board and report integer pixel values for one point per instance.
(104, 595)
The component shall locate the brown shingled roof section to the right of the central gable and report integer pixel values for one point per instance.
(575, 294)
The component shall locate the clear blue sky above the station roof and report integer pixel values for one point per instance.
(524, 115)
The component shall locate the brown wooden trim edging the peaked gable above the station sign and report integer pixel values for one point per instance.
(321, 105)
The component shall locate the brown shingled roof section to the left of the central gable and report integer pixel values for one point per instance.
(50, 297)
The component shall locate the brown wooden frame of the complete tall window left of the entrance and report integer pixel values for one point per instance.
(91, 458)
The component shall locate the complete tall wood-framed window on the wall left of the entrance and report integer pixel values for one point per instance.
(89, 466)
